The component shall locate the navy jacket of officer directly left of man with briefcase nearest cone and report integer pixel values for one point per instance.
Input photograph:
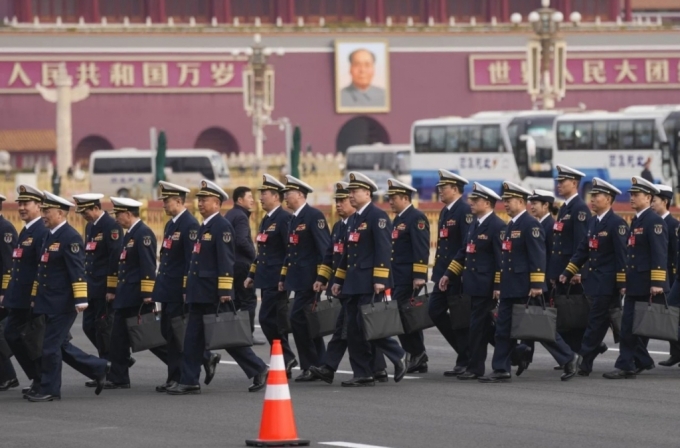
(178, 243)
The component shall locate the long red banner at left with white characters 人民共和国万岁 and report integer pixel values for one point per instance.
(126, 74)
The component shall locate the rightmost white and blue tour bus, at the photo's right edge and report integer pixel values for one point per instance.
(614, 146)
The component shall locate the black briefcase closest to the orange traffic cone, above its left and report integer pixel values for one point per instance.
(230, 329)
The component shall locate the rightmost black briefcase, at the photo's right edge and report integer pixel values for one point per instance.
(656, 321)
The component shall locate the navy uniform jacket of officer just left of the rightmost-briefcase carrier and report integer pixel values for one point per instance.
(604, 249)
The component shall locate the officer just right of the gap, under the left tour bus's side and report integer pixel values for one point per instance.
(452, 227)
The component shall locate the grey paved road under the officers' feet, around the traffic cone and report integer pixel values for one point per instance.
(536, 410)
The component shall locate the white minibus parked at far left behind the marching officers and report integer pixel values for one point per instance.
(130, 172)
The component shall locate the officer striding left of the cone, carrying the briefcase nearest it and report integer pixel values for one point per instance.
(210, 284)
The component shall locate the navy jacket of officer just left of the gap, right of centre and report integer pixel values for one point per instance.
(410, 247)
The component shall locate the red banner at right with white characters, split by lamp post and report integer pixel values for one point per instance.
(585, 71)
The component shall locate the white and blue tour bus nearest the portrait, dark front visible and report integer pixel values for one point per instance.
(488, 147)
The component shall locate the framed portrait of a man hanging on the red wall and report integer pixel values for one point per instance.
(361, 76)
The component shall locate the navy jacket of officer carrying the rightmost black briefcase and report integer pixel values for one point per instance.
(647, 254)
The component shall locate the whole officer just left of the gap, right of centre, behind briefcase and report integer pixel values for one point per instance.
(410, 256)
